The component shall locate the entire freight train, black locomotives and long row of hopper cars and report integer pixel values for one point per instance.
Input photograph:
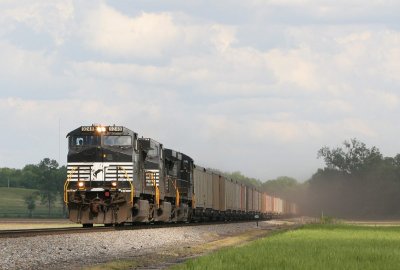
(114, 177)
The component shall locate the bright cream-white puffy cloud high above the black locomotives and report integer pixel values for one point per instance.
(111, 32)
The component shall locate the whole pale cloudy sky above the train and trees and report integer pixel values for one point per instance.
(251, 86)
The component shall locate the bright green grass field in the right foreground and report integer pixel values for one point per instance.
(311, 247)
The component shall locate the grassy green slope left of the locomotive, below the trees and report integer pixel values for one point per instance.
(12, 204)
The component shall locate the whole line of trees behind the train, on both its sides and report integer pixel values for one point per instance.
(356, 182)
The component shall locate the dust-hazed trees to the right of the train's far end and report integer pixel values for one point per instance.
(356, 182)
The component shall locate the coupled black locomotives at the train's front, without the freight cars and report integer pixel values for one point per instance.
(115, 177)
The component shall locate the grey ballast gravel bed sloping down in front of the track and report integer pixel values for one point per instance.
(71, 251)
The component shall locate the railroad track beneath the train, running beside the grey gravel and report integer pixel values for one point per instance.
(72, 230)
